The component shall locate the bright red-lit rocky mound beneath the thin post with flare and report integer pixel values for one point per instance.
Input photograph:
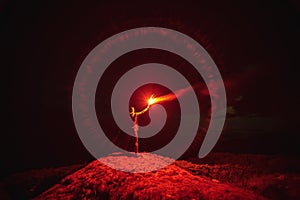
(98, 181)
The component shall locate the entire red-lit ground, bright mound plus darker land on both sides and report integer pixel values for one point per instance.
(218, 176)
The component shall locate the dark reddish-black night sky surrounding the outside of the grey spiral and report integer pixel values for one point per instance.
(255, 45)
